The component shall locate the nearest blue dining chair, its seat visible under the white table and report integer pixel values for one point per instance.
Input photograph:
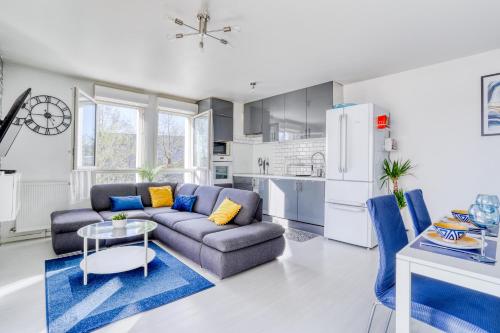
(445, 306)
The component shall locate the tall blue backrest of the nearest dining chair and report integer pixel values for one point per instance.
(391, 233)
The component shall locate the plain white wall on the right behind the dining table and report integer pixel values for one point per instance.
(435, 114)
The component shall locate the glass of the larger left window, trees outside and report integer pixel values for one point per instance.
(117, 137)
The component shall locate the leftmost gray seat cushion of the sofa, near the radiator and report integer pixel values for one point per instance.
(72, 220)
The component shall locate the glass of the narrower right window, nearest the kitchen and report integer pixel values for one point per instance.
(171, 146)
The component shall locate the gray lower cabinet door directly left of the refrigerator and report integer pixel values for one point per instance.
(311, 202)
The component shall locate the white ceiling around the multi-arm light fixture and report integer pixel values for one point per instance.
(284, 44)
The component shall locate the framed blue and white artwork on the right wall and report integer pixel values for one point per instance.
(490, 104)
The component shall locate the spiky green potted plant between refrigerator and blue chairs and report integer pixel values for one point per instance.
(393, 171)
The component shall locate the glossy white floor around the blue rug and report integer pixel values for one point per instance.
(316, 286)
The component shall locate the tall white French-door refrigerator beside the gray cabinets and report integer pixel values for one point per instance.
(354, 157)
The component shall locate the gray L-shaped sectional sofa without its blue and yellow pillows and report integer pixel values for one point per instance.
(225, 250)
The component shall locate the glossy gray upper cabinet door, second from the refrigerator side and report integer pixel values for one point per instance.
(295, 115)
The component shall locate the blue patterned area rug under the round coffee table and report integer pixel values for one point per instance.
(73, 307)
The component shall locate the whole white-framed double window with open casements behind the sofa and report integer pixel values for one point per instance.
(111, 142)
